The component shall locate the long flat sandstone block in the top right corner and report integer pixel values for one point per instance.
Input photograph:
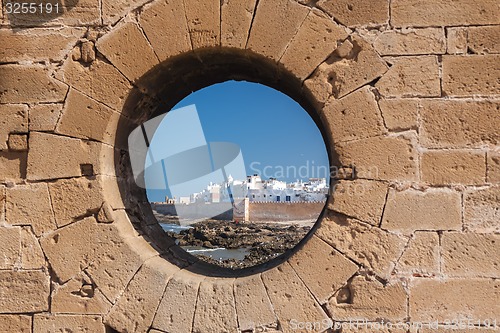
(424, 13)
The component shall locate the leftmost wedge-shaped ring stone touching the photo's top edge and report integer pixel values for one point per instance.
(164, 16)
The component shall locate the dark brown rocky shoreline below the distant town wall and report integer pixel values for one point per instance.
(264, 241)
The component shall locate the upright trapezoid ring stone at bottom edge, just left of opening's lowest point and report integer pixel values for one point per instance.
(215, 307)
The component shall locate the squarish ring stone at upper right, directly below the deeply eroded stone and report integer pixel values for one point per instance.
(355, 116)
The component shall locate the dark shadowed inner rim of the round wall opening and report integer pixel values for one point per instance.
(161, 89)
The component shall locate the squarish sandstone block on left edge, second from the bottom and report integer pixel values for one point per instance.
(24, 291)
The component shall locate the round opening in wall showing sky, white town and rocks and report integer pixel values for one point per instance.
(237, 173)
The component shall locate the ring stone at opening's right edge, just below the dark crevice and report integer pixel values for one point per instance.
(361, 199)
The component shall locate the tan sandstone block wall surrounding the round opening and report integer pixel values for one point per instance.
(406, 93)
